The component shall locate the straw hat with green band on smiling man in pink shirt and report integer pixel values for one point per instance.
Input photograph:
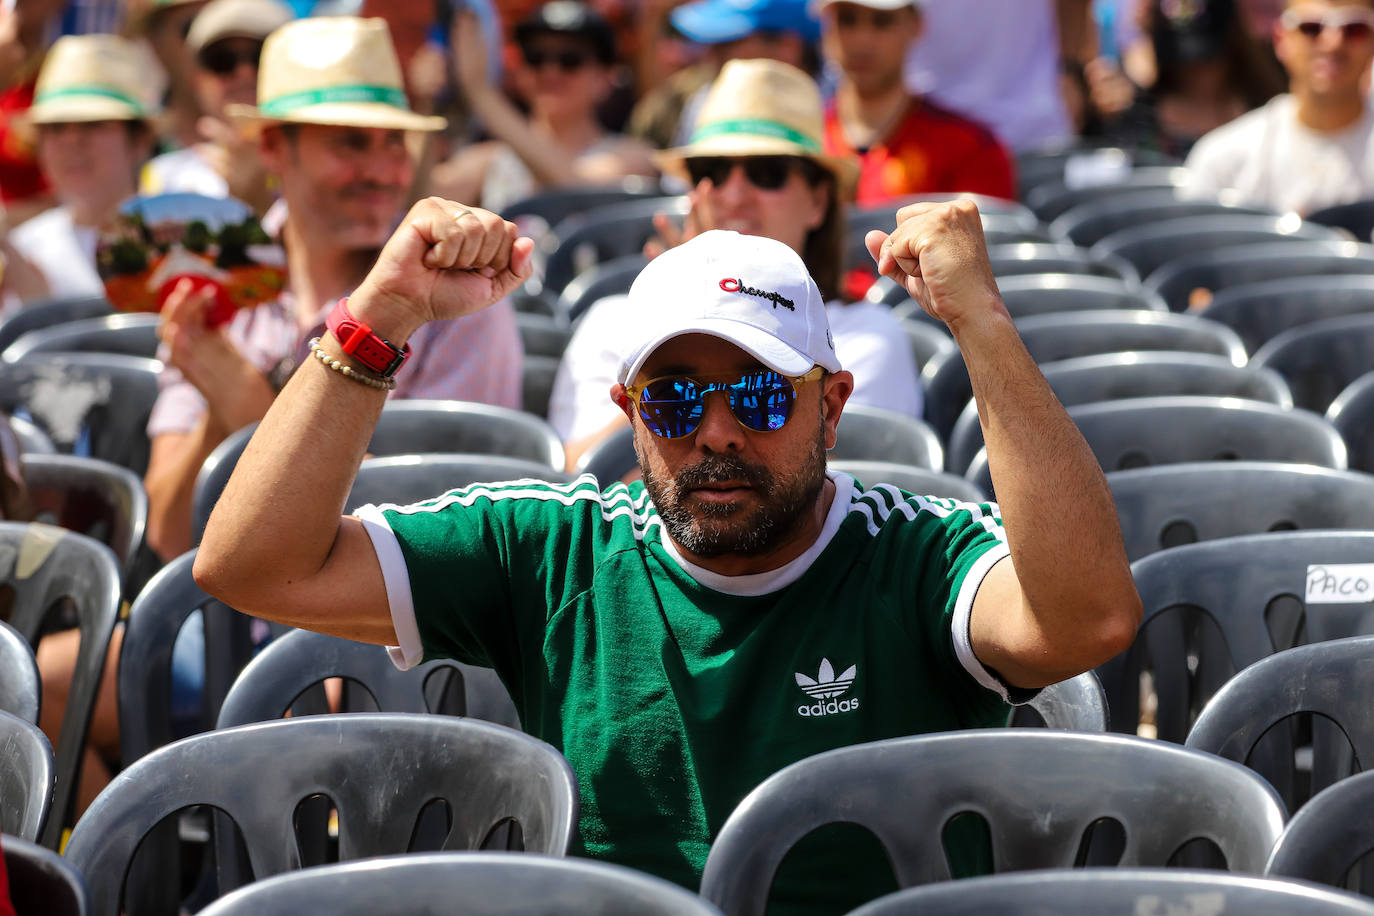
(336, 71)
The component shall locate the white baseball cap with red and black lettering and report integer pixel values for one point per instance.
(744, 289)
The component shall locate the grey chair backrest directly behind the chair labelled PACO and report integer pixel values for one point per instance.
(1174, 505)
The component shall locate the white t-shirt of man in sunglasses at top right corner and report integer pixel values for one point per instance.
(1272, 160)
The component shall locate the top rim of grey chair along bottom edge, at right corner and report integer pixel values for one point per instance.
(1118, 892)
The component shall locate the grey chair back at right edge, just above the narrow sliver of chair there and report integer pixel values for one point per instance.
(1318, 360)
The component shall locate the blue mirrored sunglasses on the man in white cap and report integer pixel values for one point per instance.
(673, 406)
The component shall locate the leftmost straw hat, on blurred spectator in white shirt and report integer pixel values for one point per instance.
(93, 78)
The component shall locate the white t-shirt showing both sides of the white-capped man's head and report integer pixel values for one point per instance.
(869, 343)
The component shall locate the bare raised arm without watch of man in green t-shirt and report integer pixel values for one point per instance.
(1066, 602)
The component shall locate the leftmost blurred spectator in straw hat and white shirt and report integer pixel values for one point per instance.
(91, 117)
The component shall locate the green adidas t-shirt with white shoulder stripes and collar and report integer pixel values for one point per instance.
(675, 691)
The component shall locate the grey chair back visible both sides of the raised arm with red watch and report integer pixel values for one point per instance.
(407, 428)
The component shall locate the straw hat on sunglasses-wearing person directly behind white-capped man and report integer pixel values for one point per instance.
(761, 108)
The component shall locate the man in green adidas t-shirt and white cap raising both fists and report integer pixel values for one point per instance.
(684, 638)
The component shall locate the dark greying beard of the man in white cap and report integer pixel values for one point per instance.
(714, 529)
